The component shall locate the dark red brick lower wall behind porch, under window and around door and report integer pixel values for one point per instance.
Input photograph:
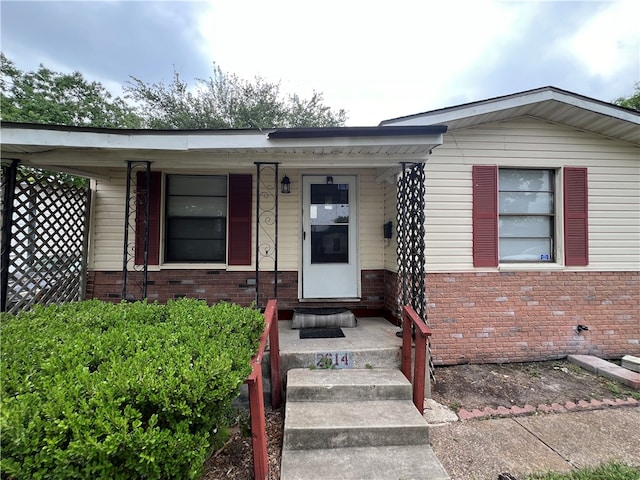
(237, 287)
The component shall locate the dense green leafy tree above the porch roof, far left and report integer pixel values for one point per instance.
(48, 97)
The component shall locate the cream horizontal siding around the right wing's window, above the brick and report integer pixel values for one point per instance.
(614, 189)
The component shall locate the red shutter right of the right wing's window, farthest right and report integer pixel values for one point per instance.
(576, 232)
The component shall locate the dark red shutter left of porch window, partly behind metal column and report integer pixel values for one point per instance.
(154, 217)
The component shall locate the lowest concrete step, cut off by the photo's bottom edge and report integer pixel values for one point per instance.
(373, 463)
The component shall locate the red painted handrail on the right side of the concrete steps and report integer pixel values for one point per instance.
(410, 317)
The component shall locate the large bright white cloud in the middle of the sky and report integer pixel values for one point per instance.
(376, 59)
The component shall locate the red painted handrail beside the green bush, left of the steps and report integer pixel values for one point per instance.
(256, 392)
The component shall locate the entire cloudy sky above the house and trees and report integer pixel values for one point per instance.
(376, 59)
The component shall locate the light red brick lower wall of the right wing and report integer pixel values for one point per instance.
(515, 317)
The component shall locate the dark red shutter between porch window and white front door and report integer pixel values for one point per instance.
(240, 203)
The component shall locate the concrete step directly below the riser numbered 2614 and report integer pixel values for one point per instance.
(305, 385)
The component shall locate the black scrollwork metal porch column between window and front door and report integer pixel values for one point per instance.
(266, 230)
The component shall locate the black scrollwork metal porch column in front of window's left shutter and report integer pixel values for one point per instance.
(136, 200)
